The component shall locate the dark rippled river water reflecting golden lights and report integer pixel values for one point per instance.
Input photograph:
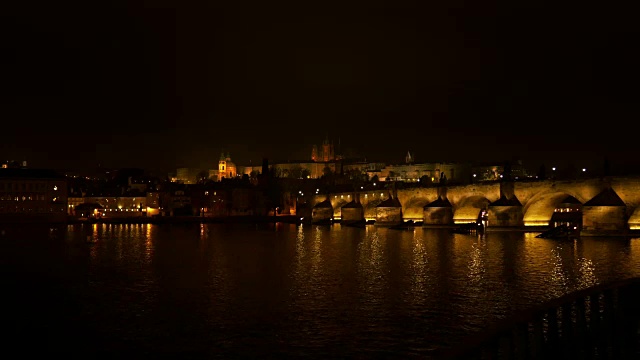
(231, 291)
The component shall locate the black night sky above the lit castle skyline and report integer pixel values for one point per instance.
(164, 84)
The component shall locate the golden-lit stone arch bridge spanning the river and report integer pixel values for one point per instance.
(605, 203)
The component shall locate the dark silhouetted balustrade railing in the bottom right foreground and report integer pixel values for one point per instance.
(601, 322)
